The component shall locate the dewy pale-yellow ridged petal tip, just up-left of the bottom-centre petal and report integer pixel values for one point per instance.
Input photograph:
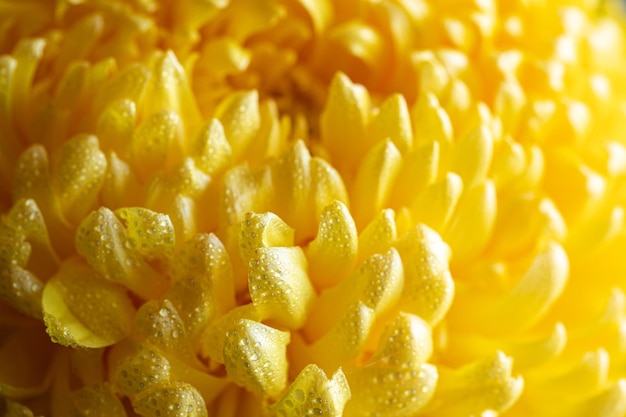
(255, 357)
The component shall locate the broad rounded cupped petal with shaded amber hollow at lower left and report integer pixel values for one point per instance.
(83, 309)
